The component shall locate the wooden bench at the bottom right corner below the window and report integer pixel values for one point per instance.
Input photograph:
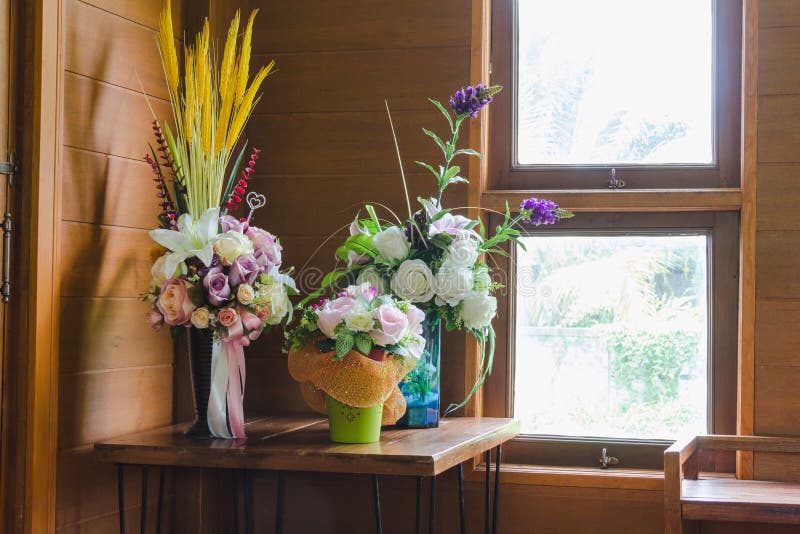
(689, 498)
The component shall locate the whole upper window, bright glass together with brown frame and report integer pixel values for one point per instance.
(649, 89)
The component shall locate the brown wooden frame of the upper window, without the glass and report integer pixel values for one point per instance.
(504, 173)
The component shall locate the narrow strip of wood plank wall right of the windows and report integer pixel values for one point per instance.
(777, 338)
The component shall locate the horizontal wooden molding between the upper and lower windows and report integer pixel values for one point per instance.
(607, 200)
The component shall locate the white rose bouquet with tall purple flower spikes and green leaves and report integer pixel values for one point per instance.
(435, 257)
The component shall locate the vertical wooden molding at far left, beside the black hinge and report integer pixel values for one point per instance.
(45, 21)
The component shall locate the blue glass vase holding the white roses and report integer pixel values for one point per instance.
(421, 386)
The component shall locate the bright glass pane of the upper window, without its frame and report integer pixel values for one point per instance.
(615, 82)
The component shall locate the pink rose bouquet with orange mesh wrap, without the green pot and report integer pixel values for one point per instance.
(355, 347)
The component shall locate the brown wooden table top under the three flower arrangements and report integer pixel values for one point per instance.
(303, 444)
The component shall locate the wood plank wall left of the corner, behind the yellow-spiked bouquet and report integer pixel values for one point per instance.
(115, 373)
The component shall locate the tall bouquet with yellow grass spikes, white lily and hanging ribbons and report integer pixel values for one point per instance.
(216, 273)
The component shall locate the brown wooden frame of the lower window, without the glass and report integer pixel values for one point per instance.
(722, 228)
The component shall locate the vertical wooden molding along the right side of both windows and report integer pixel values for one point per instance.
(747, 267)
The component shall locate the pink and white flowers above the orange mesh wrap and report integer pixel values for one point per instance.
(360, 319)
